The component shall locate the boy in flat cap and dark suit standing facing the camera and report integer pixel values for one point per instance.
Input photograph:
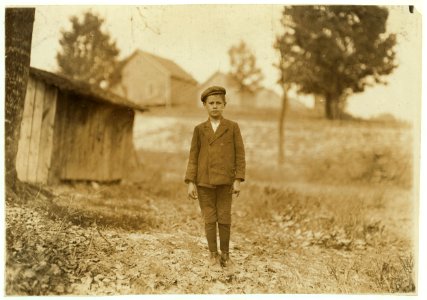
(215, 169)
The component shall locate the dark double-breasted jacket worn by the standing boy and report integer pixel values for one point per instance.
(216, 158)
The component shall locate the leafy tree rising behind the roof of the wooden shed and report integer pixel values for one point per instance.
(87, 53)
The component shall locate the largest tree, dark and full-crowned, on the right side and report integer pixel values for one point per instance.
(335, 51)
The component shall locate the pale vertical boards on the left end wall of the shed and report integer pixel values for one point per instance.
(35, 142)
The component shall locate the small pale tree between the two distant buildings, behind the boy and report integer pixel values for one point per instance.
(243, 68)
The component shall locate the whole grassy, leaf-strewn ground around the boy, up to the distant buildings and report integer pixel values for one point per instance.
(338, 217)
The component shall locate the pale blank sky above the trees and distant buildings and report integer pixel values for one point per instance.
(197, 37)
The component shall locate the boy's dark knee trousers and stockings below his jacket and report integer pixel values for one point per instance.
(215, 204)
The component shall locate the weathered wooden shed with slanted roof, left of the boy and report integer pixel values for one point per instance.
(73, 131)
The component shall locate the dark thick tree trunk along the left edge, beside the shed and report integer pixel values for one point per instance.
(19, 30)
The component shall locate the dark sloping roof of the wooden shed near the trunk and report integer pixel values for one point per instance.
(83, 88)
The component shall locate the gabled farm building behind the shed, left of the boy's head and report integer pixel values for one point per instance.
(148, 79)
